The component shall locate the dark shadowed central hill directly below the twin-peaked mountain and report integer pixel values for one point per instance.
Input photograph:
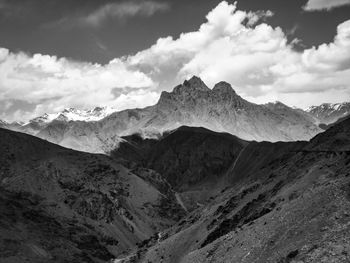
(193, 160)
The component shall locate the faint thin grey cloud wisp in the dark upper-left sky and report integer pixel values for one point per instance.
(123, 11)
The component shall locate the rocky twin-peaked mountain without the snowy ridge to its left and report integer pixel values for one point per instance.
(219, 109)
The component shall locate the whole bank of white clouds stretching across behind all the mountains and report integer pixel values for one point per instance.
(232, 45)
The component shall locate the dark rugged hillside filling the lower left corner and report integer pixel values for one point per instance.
(60, 205)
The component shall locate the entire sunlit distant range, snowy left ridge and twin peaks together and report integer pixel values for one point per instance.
(192, 103)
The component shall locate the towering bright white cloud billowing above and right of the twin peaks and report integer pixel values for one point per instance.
(257, 60)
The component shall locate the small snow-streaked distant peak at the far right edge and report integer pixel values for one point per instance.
(328, 113)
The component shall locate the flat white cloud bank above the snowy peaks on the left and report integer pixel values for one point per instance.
(53, 83)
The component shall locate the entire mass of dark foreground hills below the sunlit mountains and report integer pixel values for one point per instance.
(189, 195)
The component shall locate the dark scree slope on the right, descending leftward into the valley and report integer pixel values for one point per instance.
(287, 202)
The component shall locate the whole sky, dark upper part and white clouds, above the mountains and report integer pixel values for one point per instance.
(56, 54)
